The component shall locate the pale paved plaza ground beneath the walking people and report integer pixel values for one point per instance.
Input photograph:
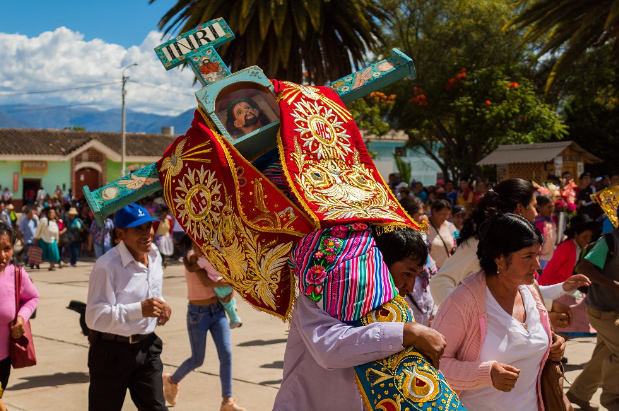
(60, 379)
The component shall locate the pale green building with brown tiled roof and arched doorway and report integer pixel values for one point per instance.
(31, 159)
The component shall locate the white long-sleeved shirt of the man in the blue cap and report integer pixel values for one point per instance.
(118, 285)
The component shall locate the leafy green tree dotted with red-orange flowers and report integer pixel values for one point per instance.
(471, 94)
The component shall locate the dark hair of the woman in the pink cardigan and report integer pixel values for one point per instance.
(504, 234)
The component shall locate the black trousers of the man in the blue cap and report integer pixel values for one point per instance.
(115, 367)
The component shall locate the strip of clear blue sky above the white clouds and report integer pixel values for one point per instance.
(123, 22)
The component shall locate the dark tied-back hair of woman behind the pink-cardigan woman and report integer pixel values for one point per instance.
(503, 199)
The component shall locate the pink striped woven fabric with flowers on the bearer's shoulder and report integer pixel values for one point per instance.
(342, 271)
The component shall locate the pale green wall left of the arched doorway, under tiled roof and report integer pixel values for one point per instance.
(58, 173)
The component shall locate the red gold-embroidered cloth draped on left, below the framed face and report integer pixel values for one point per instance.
(243, 224)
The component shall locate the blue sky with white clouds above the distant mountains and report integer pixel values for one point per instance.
(81, 47)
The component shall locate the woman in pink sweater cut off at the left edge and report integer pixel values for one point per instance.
(29, 297)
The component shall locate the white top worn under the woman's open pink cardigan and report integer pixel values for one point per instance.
(509, 342)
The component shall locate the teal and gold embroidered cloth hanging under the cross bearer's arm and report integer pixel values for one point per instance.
(406, 380)
